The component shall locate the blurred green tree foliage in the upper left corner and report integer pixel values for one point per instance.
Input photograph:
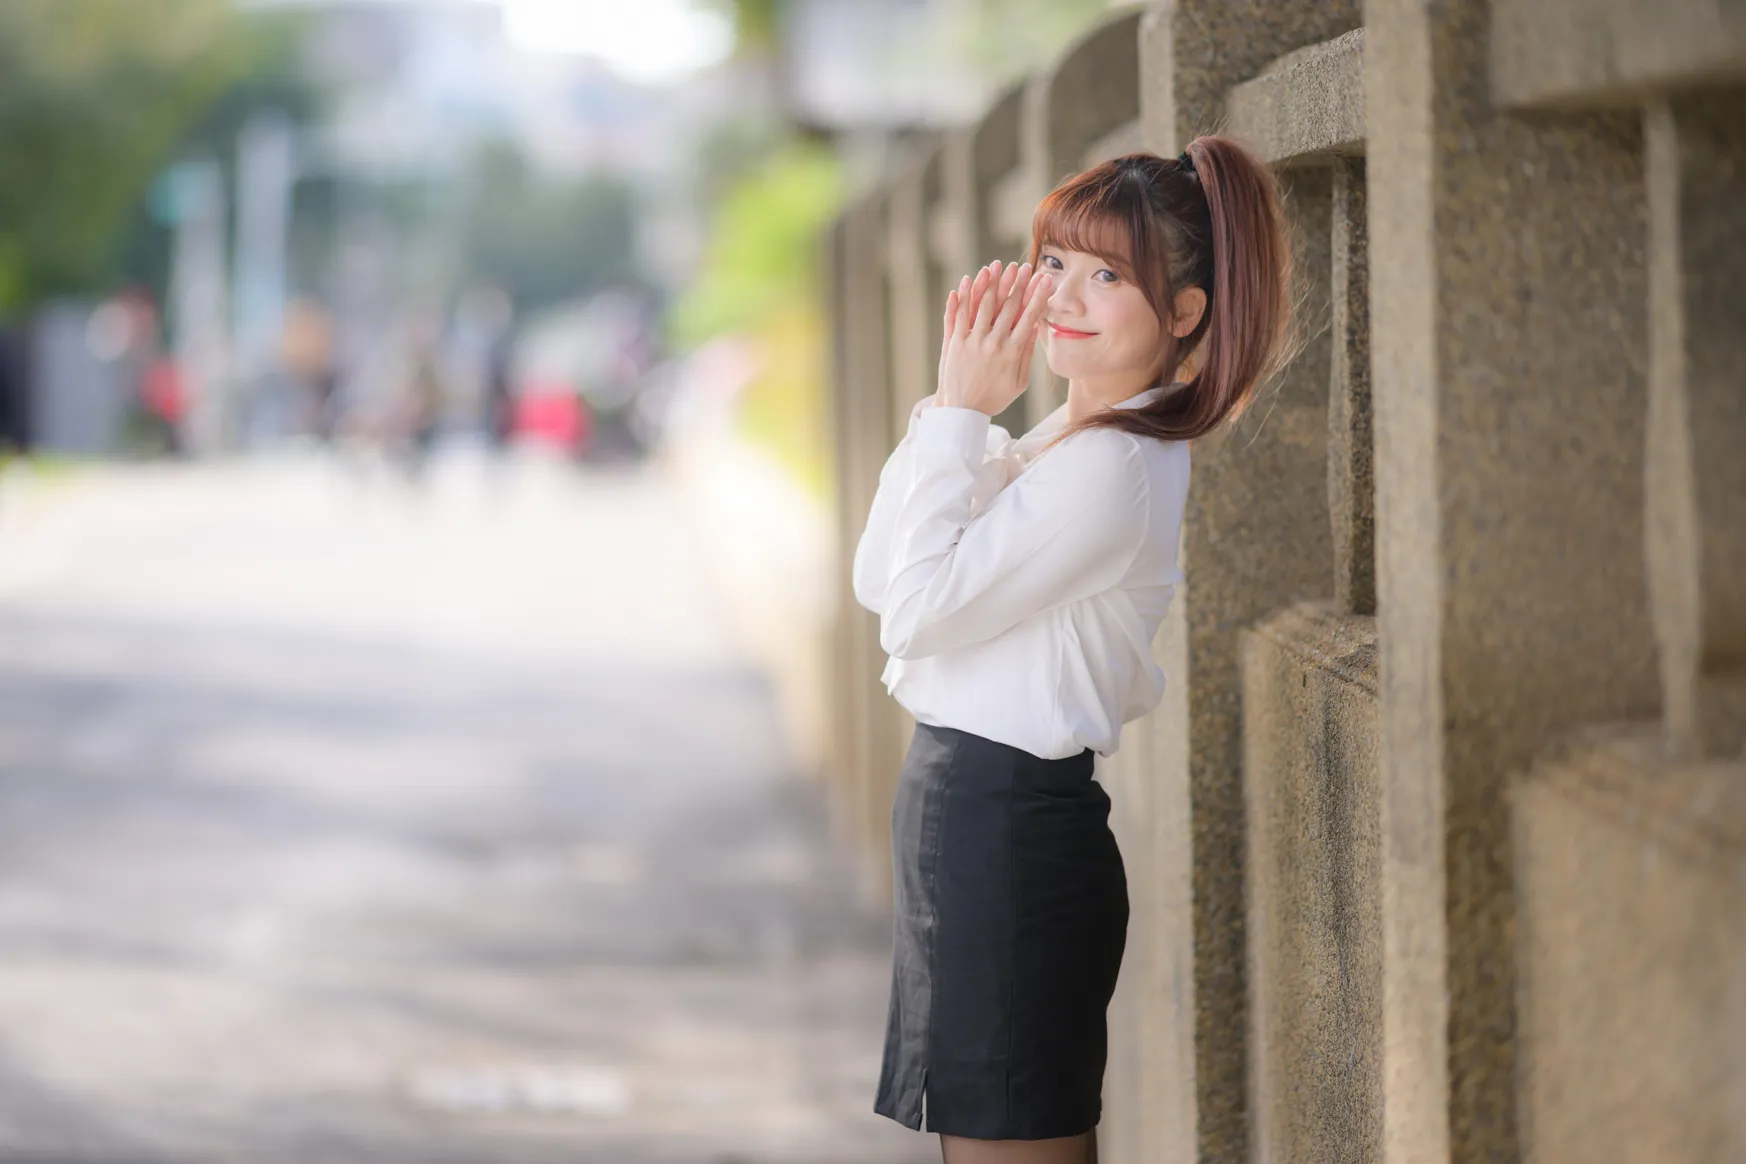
(95, 95)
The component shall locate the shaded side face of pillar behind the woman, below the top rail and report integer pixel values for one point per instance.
(1256, 538)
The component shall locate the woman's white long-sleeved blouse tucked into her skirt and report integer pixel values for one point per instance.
(1019, 594)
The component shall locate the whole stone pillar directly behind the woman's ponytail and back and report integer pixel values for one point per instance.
(1256, 540)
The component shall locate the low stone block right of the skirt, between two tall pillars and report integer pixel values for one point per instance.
(1314, 861)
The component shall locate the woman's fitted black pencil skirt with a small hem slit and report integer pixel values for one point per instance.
(1012, 915)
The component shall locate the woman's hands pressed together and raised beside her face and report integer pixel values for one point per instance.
(991, 336)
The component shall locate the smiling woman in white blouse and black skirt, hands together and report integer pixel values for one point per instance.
(1019, 587)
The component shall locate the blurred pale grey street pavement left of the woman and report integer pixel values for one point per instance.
(355, 819)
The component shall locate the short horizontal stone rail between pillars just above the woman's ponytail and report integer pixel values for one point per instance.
(1309, 104)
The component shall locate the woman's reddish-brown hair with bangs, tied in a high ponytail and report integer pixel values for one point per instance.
(1213, 223)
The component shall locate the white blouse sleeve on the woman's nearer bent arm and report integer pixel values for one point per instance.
(1069, 528)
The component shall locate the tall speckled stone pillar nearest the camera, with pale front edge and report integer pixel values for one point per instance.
(1508, 289)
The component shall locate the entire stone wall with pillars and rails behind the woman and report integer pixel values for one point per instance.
(1438, 844)
